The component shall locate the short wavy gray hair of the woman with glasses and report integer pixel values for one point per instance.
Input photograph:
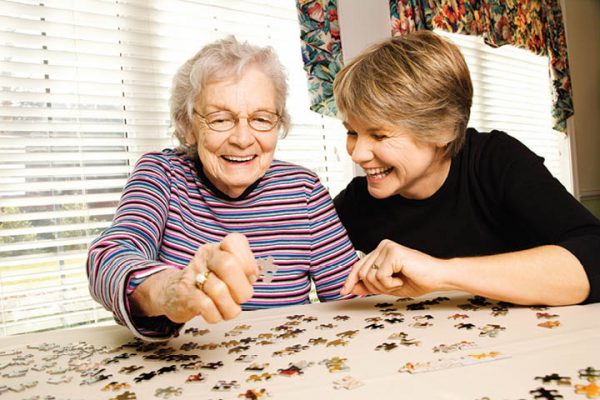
(223, 59)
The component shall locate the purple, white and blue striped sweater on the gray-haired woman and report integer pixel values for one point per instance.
(169, 208)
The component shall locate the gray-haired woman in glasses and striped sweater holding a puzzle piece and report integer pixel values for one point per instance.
(193, 223)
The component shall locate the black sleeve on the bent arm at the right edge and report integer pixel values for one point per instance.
(537, 199)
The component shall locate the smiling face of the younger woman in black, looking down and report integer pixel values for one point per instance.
(394, 161)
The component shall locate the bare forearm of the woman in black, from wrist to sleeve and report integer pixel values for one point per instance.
(548, 275)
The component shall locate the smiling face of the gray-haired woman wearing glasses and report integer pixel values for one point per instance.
(236, 158)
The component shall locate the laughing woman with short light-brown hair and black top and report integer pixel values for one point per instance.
(443, 207)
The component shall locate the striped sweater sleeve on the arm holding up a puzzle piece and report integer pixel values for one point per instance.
(126, 253)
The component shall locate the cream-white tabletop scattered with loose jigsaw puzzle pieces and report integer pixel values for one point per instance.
(517, 355)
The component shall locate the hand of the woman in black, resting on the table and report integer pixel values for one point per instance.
(397, 270)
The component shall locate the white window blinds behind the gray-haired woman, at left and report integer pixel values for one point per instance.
(84, 92)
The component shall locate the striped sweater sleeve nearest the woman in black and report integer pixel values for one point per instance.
(332, 253)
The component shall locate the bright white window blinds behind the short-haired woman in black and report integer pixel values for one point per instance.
(512, 94)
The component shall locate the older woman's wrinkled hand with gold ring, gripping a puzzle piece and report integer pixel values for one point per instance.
(233, 270)
